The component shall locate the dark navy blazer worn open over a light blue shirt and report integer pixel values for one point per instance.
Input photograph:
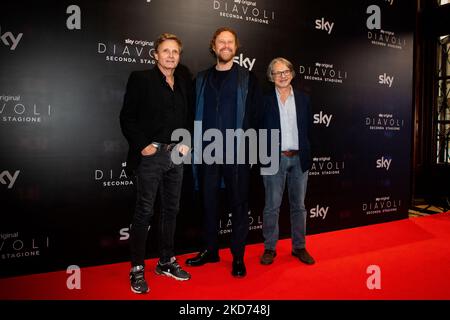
(270, 119)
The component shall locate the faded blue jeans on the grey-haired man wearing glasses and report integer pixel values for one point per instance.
(297, 180)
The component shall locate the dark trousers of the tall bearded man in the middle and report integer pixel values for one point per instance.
(236, 179)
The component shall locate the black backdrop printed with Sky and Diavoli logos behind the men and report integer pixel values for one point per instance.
(65, 196)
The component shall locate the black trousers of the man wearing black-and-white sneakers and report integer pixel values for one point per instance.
(156, 171)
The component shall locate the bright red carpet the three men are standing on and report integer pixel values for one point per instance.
(413, 256)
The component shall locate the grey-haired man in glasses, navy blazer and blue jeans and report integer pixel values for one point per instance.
(289, 111)
